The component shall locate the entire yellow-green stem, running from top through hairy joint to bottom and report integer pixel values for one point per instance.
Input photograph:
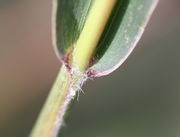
(67, 84)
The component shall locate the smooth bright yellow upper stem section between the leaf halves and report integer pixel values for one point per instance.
(91, 33)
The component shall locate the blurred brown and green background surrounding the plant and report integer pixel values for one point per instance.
(140, 99)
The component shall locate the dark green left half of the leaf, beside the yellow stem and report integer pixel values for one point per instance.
(69, 17)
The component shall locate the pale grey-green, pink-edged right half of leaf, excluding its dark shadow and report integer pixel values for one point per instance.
(126, 37)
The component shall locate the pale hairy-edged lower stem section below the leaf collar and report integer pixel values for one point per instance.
(51, 117)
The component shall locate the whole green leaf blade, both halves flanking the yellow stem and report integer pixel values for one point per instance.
(120, 35)
